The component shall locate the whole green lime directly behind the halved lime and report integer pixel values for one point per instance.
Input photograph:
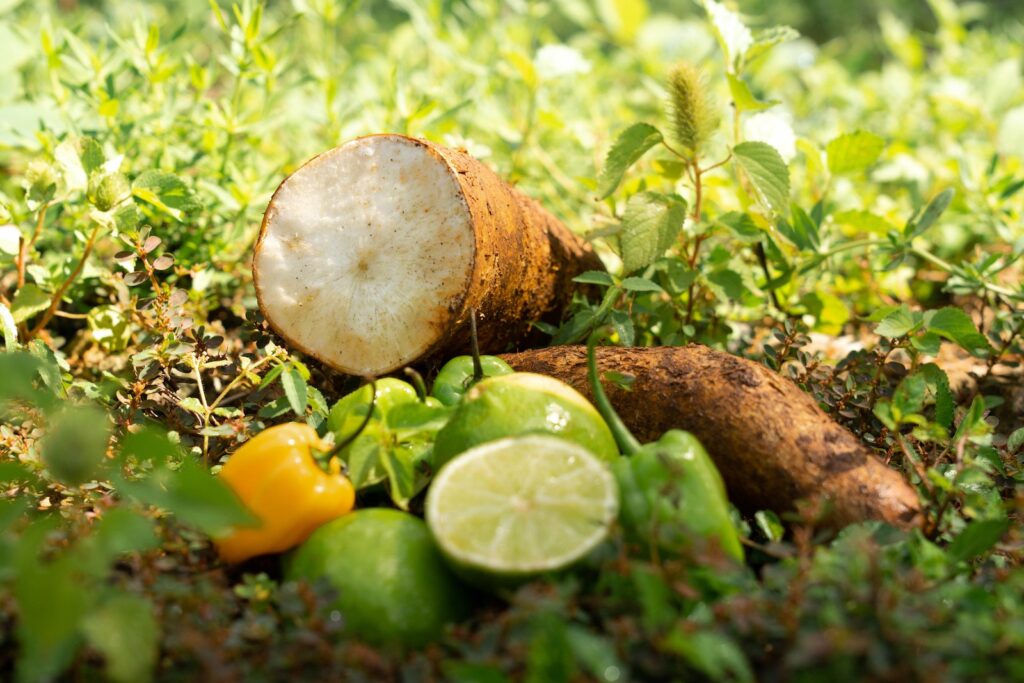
(524, 404)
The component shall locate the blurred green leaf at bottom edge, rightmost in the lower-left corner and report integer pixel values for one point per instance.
(124, 630)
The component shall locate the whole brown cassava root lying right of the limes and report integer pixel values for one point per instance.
(771, 441)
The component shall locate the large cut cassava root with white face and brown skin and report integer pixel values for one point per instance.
(372, 255)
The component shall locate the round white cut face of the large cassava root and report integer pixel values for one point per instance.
(366, 253)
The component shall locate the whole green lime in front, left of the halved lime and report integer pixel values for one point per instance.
(394, 587)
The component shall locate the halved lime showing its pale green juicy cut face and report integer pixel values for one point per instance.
(518, 507)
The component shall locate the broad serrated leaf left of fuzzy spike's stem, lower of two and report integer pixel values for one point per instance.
(651, 226)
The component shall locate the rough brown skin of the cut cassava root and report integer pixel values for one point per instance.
(524, 264)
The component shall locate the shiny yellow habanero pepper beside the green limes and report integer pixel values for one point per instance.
(276, 477)
